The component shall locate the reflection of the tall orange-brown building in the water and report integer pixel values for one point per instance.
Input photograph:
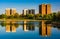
(44, 29)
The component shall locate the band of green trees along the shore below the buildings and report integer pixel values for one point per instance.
(52, 16)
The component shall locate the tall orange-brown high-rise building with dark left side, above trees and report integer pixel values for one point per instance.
(44, 9)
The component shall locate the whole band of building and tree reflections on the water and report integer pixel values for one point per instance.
(43, 28)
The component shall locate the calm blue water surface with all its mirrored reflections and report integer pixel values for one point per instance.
(29, 30)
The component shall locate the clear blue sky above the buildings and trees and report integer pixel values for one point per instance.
(28, 4)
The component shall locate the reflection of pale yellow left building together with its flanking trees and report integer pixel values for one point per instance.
(10, 26)
